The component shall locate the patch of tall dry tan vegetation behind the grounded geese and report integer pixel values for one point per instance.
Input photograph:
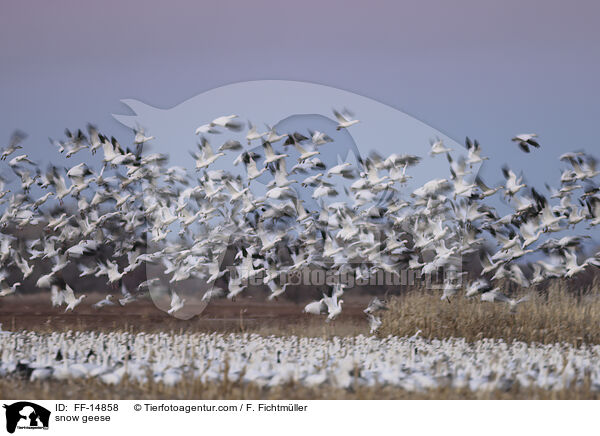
(553, 316)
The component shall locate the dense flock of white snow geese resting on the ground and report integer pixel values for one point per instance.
(413, 363)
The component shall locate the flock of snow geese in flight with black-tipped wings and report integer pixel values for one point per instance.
(104, 220)
